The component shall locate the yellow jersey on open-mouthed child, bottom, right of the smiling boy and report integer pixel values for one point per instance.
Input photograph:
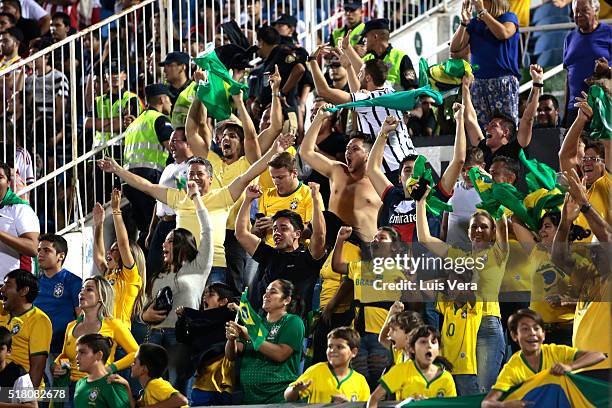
(406, 380)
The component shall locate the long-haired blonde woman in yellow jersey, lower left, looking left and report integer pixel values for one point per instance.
(95, 301)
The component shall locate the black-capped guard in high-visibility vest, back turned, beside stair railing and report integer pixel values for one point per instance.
(146, 151)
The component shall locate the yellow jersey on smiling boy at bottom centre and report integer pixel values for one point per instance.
(325, 385)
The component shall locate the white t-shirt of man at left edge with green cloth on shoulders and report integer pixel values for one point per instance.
(15, 220)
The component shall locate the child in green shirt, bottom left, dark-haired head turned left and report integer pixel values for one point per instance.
(95, 390)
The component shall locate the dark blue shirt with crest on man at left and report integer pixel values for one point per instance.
(58, 297)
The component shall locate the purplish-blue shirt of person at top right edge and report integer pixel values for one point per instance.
(579, 54)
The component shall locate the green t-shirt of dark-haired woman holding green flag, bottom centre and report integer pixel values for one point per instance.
(264, 381)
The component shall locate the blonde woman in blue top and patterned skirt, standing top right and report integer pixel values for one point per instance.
(492, 38)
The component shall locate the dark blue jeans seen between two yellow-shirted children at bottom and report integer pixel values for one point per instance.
(372, 359)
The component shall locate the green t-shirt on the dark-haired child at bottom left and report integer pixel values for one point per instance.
(100, 394)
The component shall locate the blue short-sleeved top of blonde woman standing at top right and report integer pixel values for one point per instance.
(496, 58)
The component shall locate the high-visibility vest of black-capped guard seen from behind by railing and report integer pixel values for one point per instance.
(141, 147)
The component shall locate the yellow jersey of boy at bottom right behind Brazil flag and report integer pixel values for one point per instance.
(517, 370)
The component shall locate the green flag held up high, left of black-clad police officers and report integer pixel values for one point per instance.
(215, 93)
